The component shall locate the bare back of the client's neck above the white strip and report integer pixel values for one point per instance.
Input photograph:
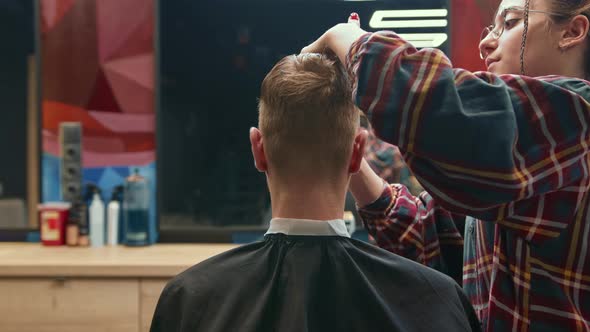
(307, 202)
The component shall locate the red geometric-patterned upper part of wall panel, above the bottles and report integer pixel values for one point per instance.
(98, 69)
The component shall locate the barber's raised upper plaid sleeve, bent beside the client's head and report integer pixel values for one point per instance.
(494, 147)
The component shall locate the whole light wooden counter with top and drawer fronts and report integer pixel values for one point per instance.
(111, 289)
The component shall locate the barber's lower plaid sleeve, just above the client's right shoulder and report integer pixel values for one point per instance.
(415, 228)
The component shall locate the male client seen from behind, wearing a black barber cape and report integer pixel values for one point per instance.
(308, 274)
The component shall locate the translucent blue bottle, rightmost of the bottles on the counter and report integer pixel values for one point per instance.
(136, 210)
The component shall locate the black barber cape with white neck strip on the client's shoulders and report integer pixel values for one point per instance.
(315, 279)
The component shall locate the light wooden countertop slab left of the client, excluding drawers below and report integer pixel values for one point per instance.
(161, 260)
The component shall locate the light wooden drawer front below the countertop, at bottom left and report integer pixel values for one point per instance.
(69, 304)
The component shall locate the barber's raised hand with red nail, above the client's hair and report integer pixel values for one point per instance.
(338, 39)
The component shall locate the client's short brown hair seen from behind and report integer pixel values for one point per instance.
(307, 116)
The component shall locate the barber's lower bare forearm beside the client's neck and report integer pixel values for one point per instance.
(366, 186)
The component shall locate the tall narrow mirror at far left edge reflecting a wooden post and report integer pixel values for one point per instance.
(19, 117)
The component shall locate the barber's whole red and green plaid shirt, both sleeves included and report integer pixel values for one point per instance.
(510, 150)
